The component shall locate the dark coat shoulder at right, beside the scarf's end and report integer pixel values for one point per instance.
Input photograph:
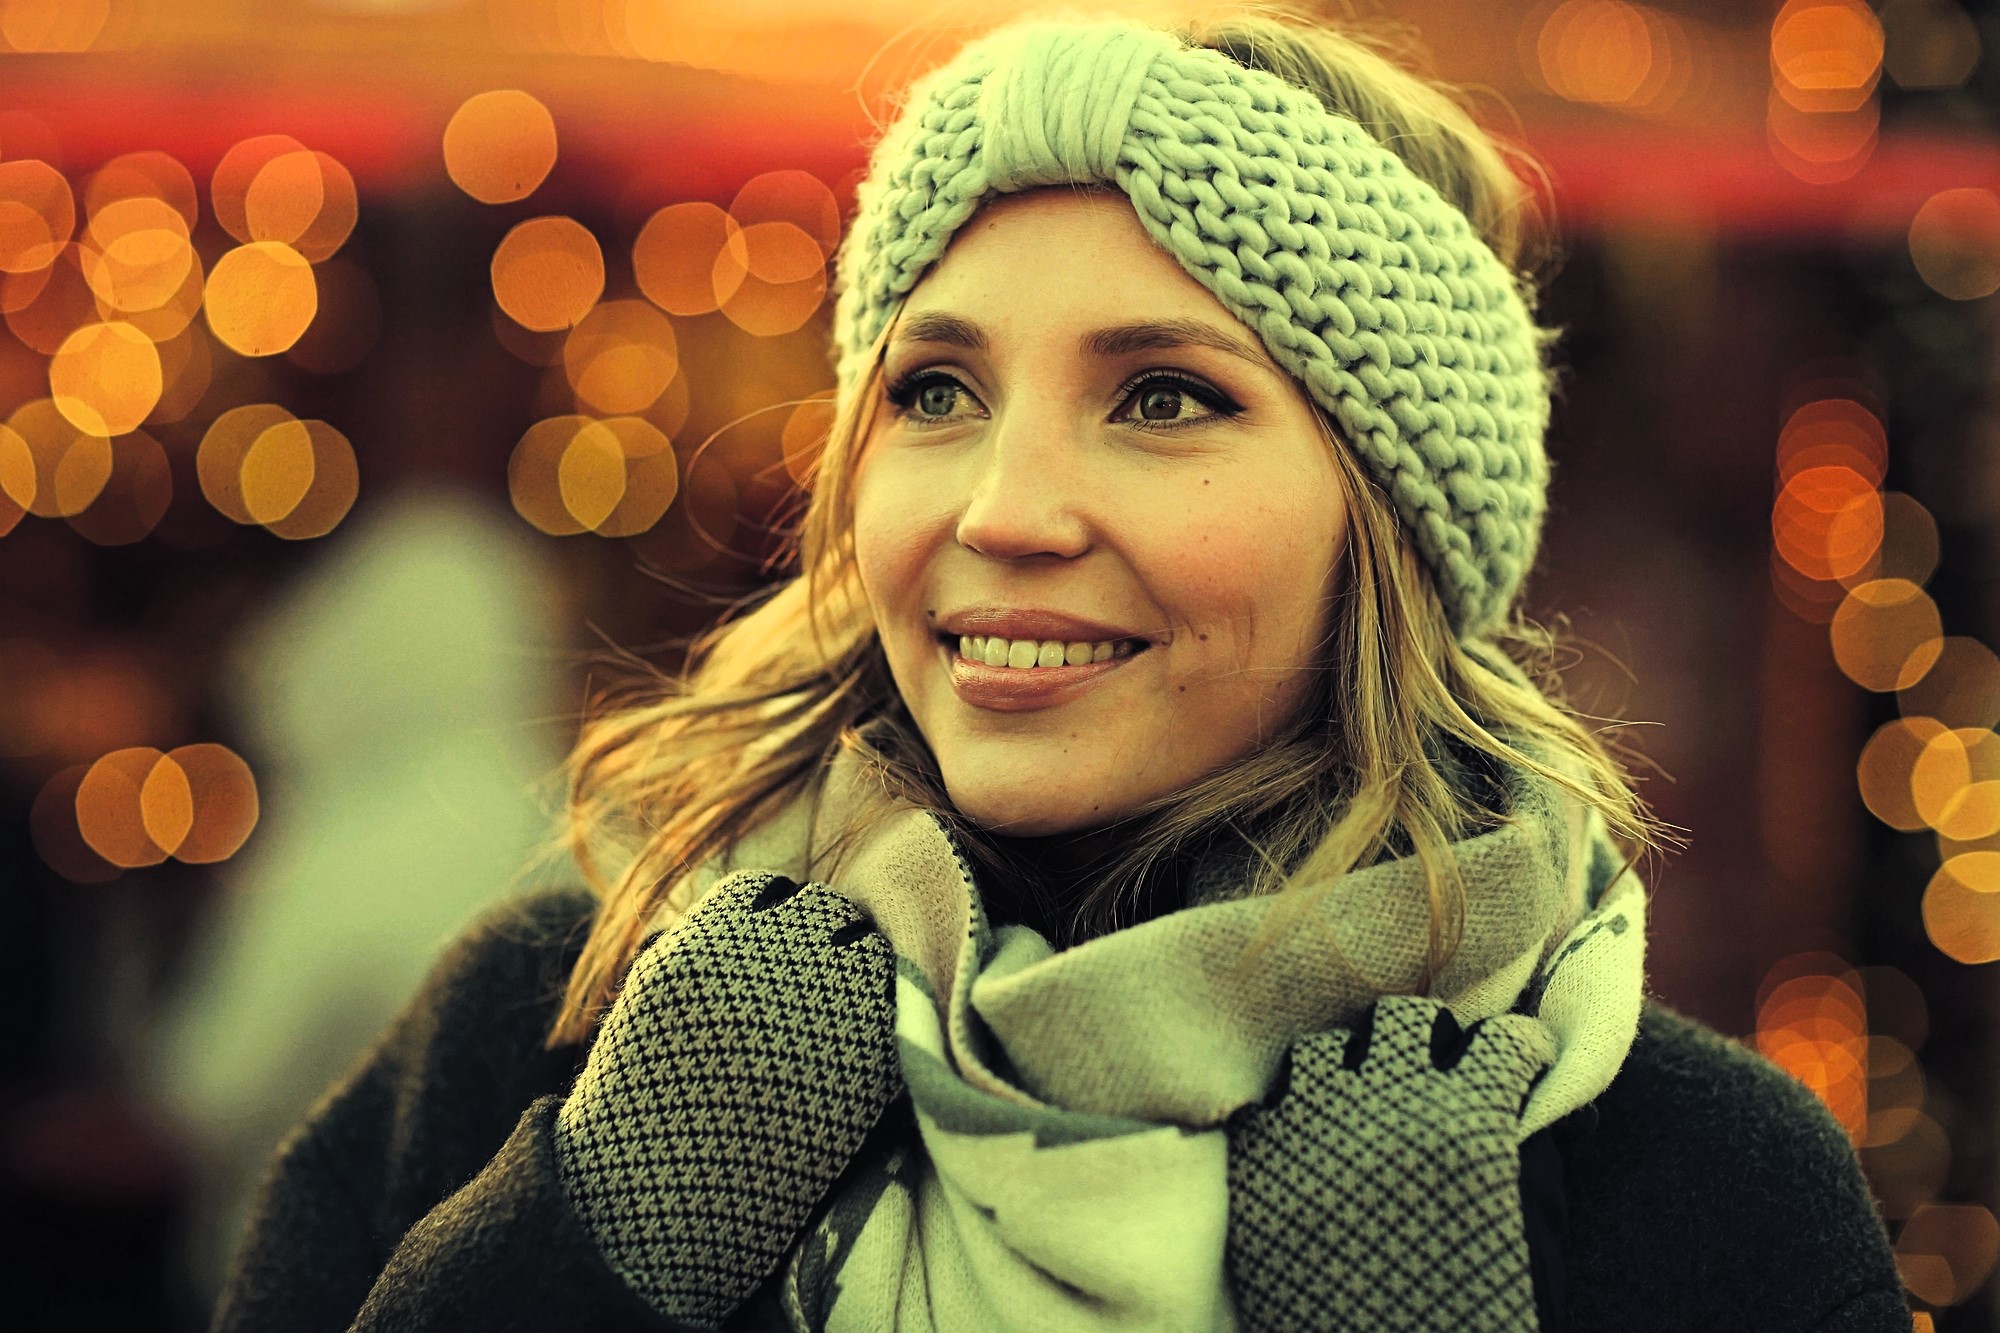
(1717, 1192)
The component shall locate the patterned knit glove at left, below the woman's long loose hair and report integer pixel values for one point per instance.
(743, 1066)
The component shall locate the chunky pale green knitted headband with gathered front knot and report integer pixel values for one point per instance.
(1361, 281)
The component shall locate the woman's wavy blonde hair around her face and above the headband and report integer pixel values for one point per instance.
(677, 770)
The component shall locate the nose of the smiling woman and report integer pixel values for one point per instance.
(1027, 491)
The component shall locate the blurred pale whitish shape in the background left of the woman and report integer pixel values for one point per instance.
(401, 712)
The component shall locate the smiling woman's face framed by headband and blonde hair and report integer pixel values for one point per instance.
(1075, 429)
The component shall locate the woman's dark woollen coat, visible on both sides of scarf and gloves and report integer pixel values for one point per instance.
(1711, 1192)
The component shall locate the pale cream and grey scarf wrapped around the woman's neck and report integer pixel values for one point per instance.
(1067, 1168)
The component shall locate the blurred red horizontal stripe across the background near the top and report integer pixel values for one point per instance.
(695, 149)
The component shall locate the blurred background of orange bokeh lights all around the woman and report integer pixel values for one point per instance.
(371, 369)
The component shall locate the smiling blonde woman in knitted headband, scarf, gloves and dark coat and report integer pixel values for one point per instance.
(1125, 882)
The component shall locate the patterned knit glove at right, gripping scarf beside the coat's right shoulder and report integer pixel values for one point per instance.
(1379, 1184)
